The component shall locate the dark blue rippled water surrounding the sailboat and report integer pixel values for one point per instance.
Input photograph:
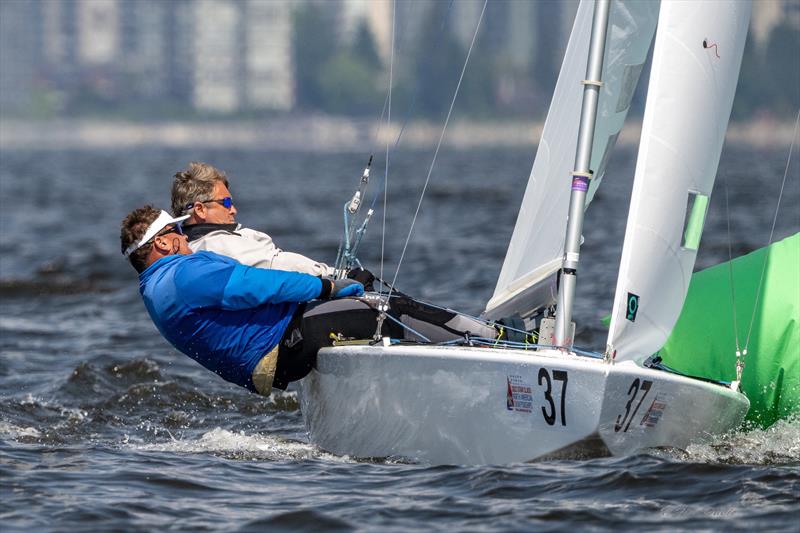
(104, 427)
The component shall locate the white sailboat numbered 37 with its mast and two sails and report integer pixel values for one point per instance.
(500, 403)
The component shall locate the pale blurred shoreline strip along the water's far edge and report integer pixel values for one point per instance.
(319, 134)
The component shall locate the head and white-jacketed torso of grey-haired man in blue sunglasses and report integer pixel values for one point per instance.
(201, 191)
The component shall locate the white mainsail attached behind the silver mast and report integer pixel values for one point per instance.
(535, 252)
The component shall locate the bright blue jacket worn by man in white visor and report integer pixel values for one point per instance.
(224, 315)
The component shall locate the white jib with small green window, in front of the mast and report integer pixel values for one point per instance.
(696, 60)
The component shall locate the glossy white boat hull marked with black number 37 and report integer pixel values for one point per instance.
(452, 405)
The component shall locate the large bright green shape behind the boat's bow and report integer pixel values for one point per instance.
(703, 342)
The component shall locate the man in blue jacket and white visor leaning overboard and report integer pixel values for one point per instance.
(228, 317)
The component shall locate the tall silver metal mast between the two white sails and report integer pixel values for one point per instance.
(581, 174)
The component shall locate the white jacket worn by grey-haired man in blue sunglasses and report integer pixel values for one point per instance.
(256, 249)
